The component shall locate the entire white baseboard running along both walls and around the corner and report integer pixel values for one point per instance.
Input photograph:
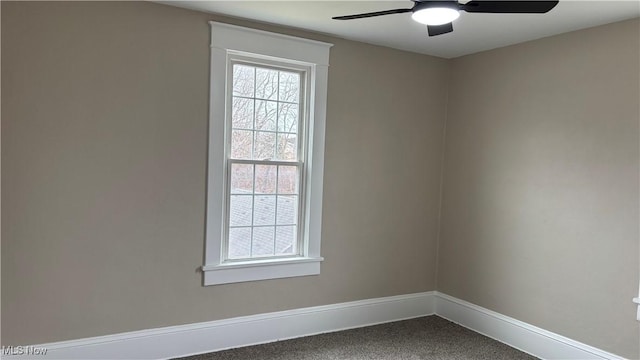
(185, 340)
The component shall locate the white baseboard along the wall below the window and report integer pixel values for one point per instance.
(185, 340)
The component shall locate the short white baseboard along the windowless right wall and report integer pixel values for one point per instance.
(520, 335)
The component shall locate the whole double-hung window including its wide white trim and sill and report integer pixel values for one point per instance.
(266, 149)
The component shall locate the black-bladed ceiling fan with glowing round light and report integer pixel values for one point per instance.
(439, 15)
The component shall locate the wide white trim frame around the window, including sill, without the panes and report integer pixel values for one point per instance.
(226, 39)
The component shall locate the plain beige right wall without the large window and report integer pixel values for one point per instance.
(540, 210)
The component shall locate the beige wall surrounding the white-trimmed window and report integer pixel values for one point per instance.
(104, 123)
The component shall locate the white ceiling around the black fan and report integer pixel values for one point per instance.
(472, 32)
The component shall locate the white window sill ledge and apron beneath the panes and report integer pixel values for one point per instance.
(260, 270)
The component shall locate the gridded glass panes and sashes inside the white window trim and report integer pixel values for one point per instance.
(265, 160)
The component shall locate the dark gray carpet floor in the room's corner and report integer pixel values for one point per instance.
(428, 337)
